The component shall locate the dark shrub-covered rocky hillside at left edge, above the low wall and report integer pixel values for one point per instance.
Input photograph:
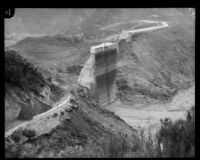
(27, 91)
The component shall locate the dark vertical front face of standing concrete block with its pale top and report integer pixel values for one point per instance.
(105, 72)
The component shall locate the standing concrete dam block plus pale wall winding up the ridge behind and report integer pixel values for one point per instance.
(98, 73)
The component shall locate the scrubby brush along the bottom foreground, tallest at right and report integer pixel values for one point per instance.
(177, 138)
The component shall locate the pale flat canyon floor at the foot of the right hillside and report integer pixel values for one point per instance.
(147, 117)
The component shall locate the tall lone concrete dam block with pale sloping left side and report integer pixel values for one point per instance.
(98, 73)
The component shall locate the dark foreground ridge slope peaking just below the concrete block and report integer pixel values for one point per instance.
(86, 126)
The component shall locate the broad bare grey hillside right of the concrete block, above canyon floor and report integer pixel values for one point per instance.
(156, 65)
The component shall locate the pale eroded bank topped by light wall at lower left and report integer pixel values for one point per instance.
(45, 122)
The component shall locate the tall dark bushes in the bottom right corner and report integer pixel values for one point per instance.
(174, 139)
